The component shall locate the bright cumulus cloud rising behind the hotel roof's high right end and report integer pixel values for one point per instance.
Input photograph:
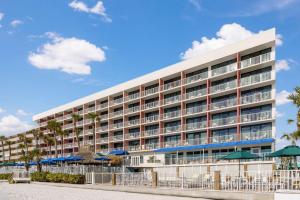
(228, 34)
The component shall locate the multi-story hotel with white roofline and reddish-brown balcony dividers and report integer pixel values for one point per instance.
(191, 112)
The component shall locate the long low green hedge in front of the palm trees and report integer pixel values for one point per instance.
(57, 178)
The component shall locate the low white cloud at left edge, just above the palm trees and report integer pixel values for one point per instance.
(11, 124)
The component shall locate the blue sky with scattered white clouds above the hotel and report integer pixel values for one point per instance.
(114, 41)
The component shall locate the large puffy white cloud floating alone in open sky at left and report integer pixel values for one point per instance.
(70, 55)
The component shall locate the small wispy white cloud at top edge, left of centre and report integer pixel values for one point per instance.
(98, 9)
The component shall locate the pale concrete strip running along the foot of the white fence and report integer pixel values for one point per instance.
(194, 193)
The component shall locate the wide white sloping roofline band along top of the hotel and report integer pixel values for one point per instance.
(265, 37)
